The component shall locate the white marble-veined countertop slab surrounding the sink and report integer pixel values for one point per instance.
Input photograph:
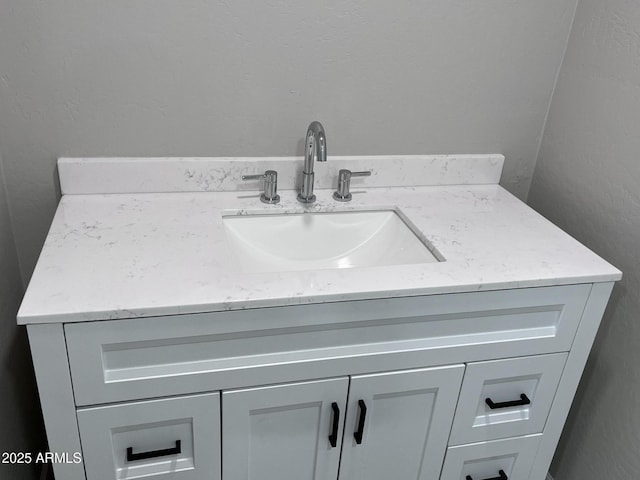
(111, 256)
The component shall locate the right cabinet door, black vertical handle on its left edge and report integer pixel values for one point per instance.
(403, 433)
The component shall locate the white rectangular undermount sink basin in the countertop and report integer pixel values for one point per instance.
(313, 241)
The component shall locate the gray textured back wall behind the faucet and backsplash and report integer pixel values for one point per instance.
(188, 77)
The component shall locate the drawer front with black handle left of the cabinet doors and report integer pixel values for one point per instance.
(176, 438)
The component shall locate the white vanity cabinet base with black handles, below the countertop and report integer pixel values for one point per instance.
(449, 387)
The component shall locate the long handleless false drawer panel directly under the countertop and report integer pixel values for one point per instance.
(148, 357)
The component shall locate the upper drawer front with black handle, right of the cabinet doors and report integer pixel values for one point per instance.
(506, 398)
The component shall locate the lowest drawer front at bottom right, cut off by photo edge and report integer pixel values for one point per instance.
(511, 458)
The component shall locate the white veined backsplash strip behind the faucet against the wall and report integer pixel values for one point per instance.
(223, 174)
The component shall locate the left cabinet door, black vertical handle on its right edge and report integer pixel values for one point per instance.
(283, 431)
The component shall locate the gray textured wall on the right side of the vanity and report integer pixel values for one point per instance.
(587, 180)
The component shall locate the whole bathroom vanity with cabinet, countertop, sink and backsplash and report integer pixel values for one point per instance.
(169, 343)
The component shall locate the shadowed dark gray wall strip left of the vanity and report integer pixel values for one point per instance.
(20, 418)
